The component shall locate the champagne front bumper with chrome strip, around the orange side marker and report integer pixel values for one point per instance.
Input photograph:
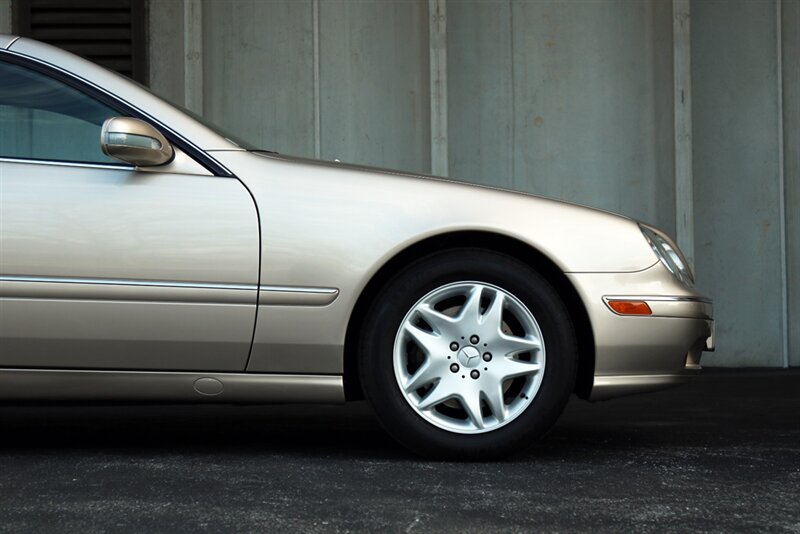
(642, 353)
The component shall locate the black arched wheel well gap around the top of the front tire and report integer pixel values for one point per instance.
(489, 241)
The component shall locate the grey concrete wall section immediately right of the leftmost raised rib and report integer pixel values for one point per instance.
(259, 77)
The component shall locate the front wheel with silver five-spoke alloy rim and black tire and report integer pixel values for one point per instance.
(468, 354)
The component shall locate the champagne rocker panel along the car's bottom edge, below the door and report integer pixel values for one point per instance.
(138, 386)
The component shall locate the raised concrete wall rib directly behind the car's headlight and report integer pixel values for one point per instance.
(682, 94)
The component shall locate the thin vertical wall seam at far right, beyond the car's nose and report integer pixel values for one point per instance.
(782, 185)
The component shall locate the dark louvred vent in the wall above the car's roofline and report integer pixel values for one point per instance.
(108, 32)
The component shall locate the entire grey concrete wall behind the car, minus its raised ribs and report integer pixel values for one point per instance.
(568, 99)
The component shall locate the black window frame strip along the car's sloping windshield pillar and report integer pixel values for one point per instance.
(113, 101)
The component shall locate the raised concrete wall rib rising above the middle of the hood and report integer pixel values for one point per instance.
(437, 31)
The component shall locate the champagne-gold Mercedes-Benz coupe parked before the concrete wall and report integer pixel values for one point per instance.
(146, 255)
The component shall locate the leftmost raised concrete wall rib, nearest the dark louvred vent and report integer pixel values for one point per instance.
(193, 55)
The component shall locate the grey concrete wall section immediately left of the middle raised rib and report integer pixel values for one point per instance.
(374, 83)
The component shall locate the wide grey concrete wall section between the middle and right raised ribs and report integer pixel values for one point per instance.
(569, 100)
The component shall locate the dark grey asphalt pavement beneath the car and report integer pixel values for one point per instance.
(721, 454)
